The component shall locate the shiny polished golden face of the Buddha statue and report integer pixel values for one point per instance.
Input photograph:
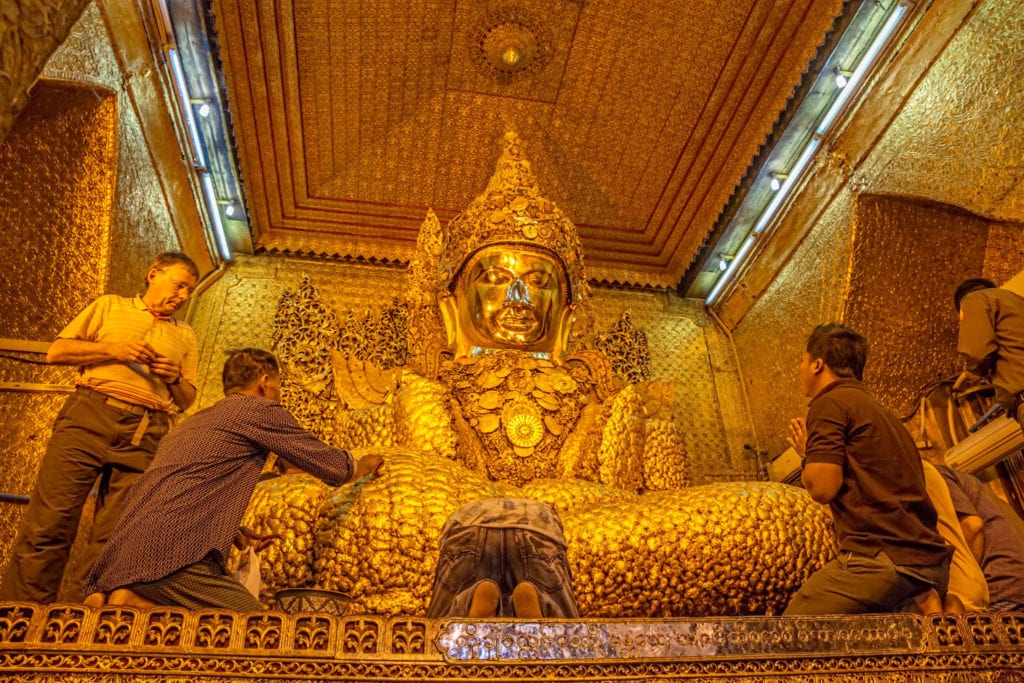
(510, 297)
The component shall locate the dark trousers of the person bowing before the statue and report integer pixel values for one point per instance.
(507, 557)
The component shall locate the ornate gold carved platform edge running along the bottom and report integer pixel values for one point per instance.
(65, 643)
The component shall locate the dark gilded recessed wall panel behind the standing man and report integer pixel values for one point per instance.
(57, 187)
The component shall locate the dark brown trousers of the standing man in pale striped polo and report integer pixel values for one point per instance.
(91, 438)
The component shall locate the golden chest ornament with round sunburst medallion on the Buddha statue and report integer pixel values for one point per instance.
(520, 408)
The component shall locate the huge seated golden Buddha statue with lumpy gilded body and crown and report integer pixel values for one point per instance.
(496, 395)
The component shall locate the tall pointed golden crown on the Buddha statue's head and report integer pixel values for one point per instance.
(511, 210)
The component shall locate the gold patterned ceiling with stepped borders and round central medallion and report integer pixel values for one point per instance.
(353, 119)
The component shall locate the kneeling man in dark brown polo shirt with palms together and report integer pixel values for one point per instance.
(862, 462)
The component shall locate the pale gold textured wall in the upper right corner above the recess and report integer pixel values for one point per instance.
(959, 138)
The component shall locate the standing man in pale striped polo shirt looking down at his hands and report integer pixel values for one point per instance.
(137, 366)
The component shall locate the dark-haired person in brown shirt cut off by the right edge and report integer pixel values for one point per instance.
(992, 339)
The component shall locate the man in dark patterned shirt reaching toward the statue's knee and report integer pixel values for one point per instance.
(172, 544)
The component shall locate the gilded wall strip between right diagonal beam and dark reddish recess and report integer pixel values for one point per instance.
(813, 289)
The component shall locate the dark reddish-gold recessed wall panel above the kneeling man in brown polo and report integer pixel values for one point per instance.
(909, 259)
